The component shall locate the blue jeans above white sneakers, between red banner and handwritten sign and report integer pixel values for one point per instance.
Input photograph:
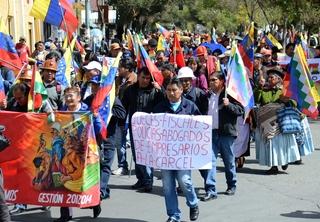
(122, 147)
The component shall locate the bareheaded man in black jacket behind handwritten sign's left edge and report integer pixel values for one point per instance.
(141, 97)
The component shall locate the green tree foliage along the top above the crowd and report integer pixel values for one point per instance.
(223, 15)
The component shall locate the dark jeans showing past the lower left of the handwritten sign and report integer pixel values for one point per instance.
(144, 174)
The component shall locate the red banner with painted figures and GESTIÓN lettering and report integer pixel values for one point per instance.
(50, 164)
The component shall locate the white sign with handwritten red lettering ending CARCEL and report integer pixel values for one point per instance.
(171, 141)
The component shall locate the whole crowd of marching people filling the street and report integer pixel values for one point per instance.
(194, 86)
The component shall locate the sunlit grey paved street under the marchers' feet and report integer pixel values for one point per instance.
(291, 196)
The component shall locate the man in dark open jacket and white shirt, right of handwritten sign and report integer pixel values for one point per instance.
(224, 110)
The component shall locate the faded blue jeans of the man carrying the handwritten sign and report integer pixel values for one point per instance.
(183, 177)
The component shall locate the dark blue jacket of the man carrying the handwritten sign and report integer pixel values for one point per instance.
(186, 107)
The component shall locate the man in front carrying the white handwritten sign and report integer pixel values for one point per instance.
(177, 104)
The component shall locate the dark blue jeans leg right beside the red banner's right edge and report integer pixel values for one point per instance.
(106, 159)
